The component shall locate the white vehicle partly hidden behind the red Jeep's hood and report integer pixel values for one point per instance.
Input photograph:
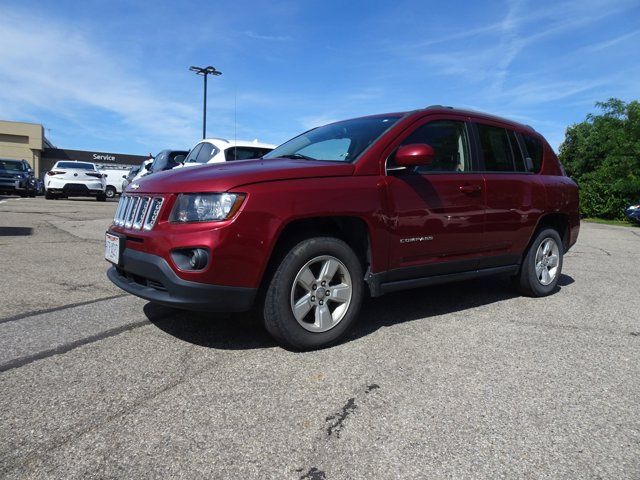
(214, 150)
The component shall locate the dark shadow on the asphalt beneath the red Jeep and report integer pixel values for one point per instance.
(242, 331)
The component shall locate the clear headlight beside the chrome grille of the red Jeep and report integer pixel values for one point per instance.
(205, 207)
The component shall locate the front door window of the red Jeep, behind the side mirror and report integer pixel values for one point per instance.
(448, 138)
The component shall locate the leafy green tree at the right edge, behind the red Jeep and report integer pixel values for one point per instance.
(602, 154)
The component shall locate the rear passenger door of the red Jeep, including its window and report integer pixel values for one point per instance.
(514, 196)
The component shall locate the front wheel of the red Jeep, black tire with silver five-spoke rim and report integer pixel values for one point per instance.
(327, 320)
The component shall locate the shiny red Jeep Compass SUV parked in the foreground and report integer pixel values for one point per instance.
(374, 204)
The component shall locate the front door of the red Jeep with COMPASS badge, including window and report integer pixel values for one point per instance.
(437, 211)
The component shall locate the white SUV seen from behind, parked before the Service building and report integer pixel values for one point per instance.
(75, 179)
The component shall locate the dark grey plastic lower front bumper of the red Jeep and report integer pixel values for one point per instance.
(150, 277)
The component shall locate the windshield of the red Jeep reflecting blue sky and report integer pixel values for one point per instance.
(337, 142)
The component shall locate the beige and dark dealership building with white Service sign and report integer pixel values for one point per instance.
(19, 140)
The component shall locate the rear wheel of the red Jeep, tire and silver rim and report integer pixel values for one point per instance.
(539, 273)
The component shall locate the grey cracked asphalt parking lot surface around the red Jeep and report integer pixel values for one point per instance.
(465, 380)
